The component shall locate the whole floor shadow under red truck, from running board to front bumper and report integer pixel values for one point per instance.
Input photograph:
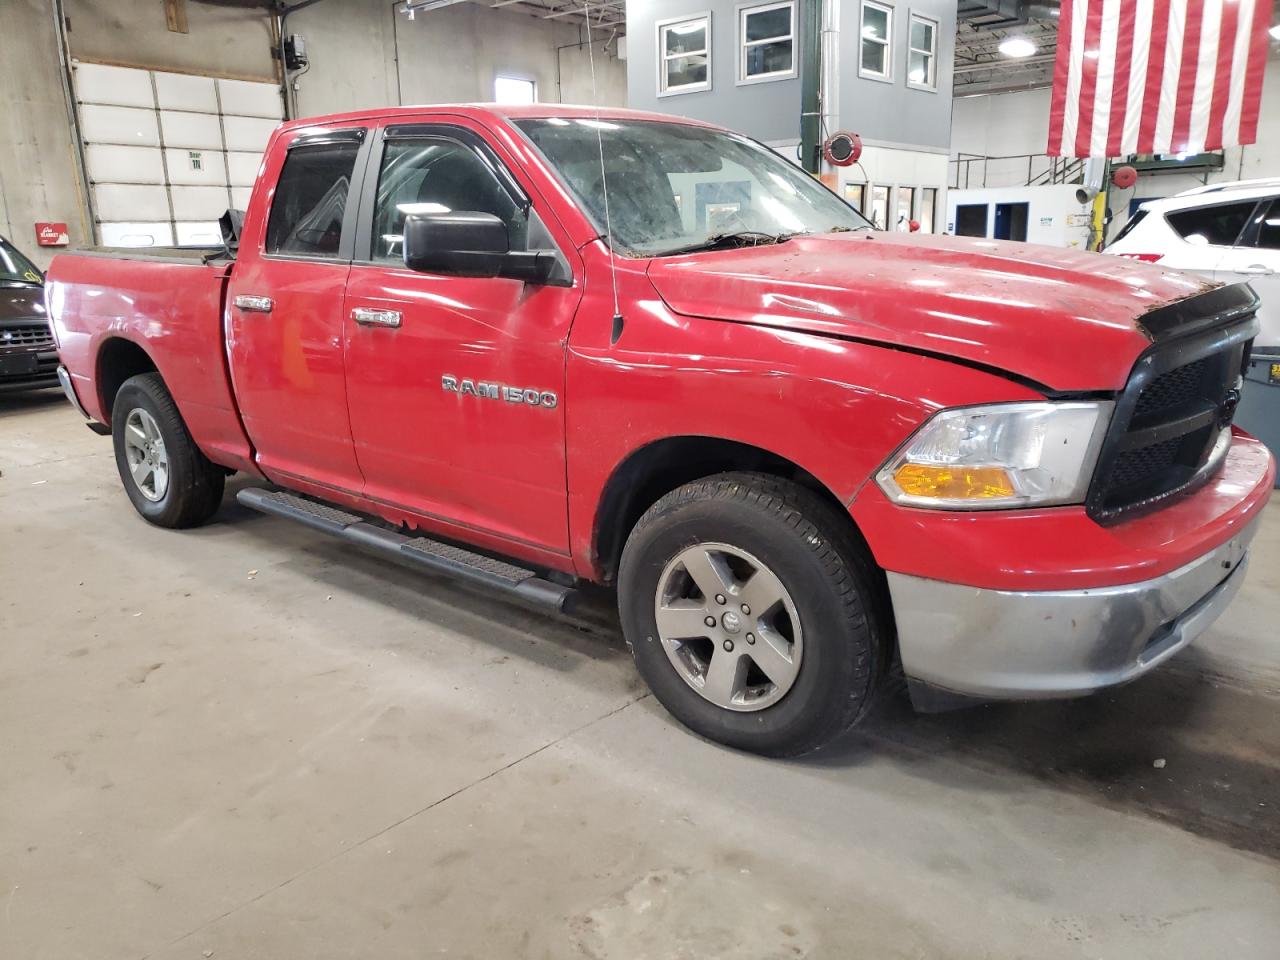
(1219, 743)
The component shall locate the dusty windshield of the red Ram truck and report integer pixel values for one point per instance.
(675, 188)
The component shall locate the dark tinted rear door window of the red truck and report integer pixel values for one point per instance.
(312, 199)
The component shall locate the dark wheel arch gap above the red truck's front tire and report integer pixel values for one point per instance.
(659, 468)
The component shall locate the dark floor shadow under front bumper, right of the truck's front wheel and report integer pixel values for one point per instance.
(1174, 747)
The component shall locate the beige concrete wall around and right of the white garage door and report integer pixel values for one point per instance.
(444, 56)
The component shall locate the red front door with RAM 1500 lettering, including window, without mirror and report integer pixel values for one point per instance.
(456, 386)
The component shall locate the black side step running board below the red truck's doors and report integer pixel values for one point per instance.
(417, 552)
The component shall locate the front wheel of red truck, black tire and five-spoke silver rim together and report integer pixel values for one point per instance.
(752, 614)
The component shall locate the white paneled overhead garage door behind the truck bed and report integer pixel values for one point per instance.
(167, 154)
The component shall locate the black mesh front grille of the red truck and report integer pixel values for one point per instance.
(1182, 395)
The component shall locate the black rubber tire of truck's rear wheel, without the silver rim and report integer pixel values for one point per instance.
(195, 486)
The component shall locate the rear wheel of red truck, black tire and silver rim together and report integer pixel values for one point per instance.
(170, 482)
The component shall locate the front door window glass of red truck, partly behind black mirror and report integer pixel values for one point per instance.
(437, 176)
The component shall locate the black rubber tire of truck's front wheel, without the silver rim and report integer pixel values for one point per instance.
(831, 580)
